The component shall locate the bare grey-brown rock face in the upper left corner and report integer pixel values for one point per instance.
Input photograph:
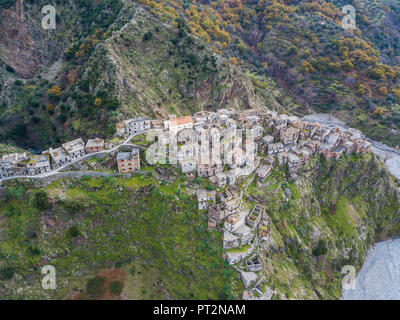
(24, 45)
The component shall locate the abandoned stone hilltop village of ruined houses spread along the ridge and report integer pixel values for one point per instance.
(279, 139)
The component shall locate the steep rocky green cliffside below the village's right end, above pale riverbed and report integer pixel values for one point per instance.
(318, 229)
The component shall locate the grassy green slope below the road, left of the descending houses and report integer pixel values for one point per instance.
(106, 222)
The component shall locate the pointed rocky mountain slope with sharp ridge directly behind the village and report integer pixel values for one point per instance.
(138, 65)
